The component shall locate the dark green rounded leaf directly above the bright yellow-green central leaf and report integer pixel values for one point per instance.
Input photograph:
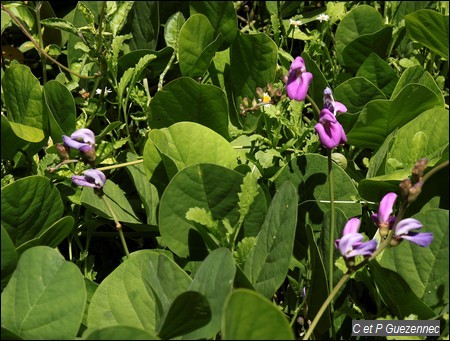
(186, 100)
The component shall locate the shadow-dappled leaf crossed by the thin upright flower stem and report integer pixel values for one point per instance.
(309, 173)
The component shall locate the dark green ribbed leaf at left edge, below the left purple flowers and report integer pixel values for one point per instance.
(29, 206)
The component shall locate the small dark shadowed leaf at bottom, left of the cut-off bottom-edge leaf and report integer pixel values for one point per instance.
(188, 312)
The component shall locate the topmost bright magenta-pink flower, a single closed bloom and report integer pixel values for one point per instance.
(298, 80)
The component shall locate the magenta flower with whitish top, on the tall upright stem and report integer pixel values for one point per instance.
(330, 131)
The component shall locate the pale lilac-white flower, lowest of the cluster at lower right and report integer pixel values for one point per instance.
(351, 244)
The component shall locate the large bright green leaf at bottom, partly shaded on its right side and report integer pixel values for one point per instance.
(137, 292)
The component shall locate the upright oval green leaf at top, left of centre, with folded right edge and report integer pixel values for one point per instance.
(197, 45)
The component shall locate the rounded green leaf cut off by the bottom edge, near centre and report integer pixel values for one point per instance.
(250, 316)
